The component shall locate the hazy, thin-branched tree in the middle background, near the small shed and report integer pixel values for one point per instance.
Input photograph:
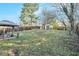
(48, 18)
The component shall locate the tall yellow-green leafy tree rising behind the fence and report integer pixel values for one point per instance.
(27, 14)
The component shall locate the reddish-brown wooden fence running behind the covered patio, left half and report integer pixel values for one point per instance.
(21, 28)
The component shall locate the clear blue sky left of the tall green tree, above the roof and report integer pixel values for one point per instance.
(10, 11)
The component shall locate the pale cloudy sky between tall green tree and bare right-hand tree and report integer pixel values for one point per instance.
(54, 10)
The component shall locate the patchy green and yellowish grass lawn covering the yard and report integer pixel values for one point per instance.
(38, 43)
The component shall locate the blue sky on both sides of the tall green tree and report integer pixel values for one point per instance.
(12, 11)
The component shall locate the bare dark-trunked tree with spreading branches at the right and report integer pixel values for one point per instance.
(69, 9)
